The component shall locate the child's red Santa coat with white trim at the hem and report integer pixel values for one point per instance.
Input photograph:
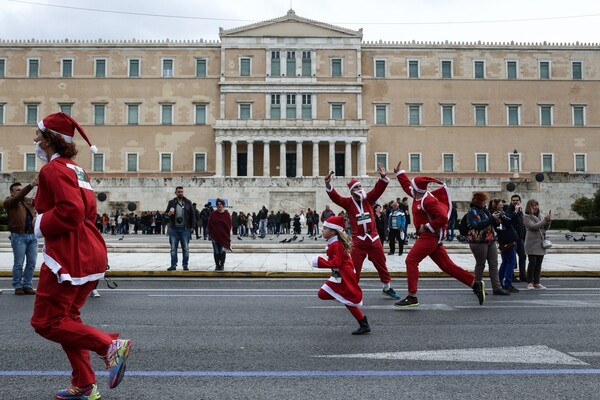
(347, 291)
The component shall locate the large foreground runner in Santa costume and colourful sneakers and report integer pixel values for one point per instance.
(74, 259)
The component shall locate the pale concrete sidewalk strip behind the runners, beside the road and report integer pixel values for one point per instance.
(137, 255)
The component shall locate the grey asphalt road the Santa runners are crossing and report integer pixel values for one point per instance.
(274, 339)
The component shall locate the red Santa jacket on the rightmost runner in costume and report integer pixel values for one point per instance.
(431, 210)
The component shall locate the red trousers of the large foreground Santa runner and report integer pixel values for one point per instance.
(56, 317)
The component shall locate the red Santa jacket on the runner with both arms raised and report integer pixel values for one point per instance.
(361, 210)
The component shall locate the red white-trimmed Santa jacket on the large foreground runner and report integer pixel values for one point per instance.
(74, 249)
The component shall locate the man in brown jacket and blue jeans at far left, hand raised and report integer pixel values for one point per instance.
(21, 215)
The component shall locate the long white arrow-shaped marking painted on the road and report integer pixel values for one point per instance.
(509, 355)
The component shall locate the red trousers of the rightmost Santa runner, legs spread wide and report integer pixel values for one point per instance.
(427, 245)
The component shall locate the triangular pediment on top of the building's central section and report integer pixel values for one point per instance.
(290, 25)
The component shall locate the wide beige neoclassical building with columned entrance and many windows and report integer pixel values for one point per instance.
(260, 115)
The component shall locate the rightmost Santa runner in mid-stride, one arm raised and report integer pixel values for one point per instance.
(430, 216)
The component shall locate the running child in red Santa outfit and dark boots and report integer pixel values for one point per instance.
(343, 284)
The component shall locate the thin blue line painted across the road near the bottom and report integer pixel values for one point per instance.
(322, 373)
